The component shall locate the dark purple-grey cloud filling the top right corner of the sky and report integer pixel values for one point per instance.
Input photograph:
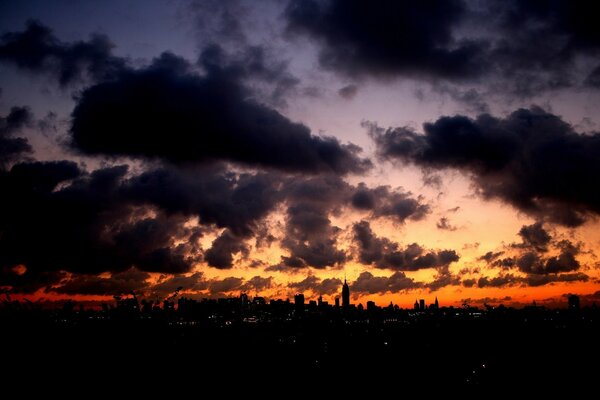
(539, 42)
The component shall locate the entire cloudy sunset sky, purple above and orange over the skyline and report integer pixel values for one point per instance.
(426, 149)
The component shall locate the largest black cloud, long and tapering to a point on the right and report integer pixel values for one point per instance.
(180, 117)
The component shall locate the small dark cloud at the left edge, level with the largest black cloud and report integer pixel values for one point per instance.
(12, 148)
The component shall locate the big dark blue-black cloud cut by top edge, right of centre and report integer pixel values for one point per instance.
(388, 38)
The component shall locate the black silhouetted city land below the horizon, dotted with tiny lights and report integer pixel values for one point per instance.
(379, 349)
